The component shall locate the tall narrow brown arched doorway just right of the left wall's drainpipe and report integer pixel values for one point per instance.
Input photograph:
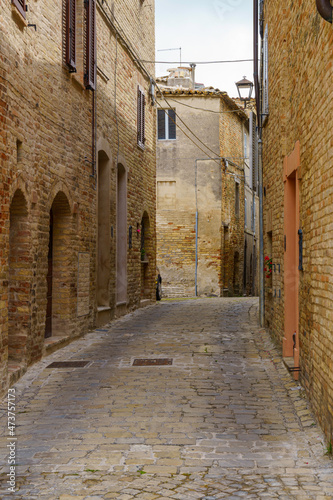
(103, 229)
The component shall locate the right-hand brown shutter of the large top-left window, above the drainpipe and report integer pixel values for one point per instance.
(90, 73)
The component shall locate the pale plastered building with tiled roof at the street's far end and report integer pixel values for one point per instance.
(202, 178)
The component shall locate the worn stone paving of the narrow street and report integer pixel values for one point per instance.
(224, 421)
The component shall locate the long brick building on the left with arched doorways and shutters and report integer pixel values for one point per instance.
(77, 171)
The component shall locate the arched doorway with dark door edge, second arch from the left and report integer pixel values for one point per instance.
(59, 273)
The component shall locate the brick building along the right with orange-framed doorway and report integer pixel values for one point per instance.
(297, 133)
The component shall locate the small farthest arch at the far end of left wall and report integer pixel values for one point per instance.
(146, 249)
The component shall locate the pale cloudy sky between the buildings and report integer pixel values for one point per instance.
(206, 30)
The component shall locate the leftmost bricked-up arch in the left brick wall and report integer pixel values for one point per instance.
(20, 279)
